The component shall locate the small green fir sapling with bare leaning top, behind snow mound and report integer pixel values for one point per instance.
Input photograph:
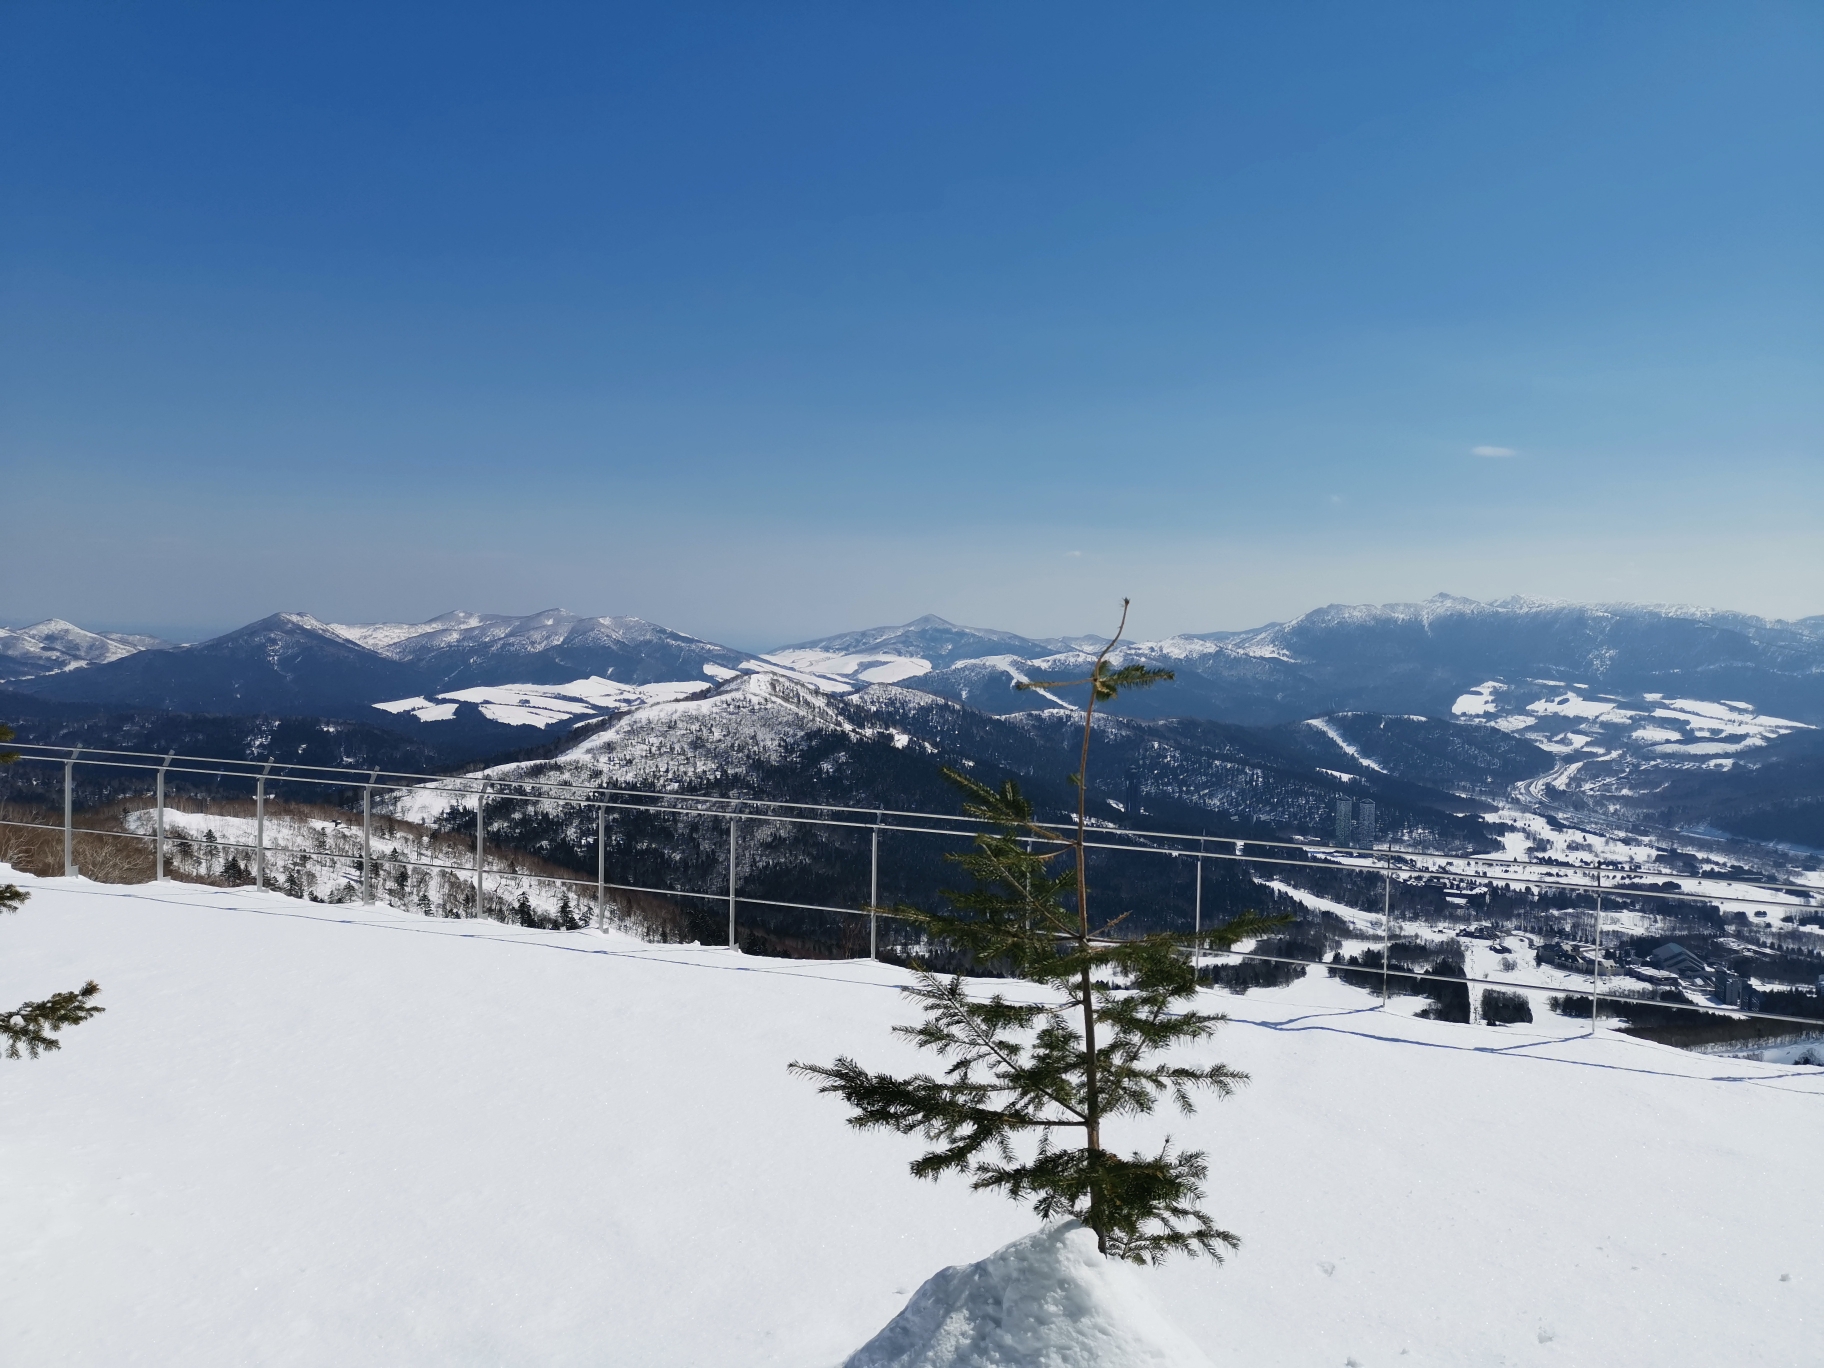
(1030, 1084)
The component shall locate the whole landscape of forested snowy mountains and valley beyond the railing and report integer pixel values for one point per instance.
(692, 794)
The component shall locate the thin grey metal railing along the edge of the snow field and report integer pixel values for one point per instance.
(1389, 862)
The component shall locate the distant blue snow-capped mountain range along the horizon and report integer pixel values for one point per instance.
(1384, 659)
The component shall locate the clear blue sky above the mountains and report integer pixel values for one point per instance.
(769, 322)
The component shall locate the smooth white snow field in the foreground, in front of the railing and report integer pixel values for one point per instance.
(340, 1135)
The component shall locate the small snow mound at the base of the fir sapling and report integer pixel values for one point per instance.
(1044, 1301)
